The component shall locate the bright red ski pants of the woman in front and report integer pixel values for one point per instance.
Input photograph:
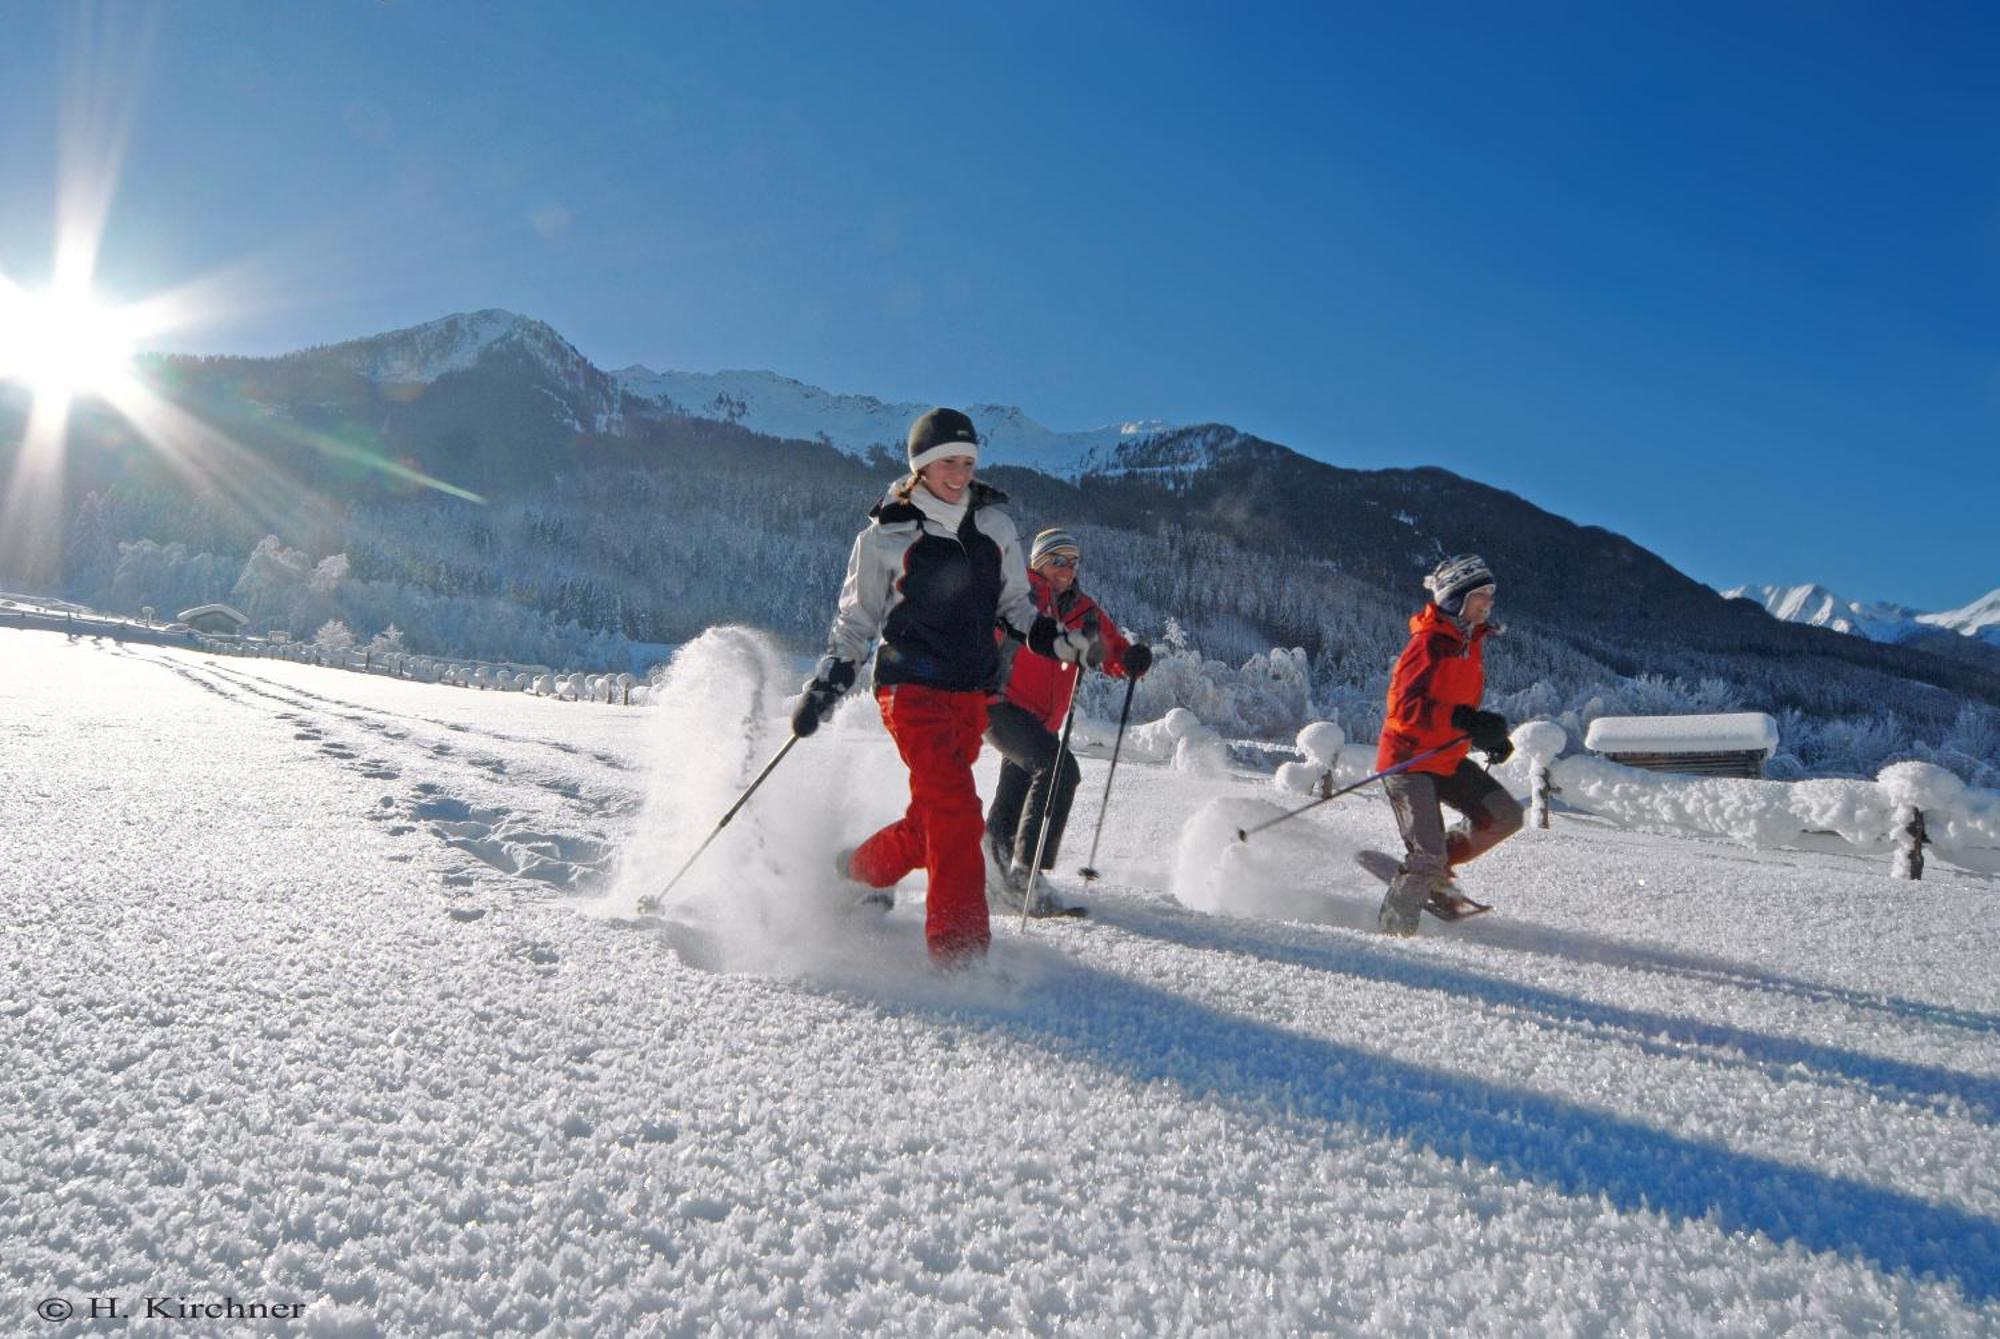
(939, 738)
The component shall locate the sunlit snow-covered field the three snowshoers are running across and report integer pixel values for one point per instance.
(325, 988)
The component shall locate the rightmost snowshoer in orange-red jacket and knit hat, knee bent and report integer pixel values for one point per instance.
(1435, 700)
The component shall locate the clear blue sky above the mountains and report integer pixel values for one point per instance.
(1721, 279)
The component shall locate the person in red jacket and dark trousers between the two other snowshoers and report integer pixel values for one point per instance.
(1025, 724)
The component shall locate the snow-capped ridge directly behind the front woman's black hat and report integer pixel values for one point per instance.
(857, 425)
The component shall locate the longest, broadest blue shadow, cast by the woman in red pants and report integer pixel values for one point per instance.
(1157, 1036)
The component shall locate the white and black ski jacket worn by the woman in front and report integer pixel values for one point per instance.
(935, 597)
